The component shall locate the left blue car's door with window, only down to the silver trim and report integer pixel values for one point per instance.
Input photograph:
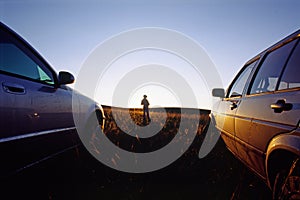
(32, 86)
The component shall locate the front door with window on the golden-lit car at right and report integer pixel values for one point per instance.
(228, 107)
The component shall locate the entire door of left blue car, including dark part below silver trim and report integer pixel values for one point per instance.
(35, 112)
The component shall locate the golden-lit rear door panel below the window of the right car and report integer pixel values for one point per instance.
(255, 128)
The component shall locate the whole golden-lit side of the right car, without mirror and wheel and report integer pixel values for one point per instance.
(268, 120)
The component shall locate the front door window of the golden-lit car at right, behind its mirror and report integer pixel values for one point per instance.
(239, 85)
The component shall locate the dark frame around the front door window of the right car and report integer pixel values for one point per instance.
(255, 59)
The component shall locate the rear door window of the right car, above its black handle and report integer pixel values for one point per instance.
(268, 74)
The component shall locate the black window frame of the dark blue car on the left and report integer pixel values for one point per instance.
(29, 51)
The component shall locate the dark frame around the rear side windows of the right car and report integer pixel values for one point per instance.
(264, 55)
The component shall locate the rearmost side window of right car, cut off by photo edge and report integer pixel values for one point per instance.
(291, 77)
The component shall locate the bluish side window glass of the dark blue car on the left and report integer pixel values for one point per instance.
(15, 61)
